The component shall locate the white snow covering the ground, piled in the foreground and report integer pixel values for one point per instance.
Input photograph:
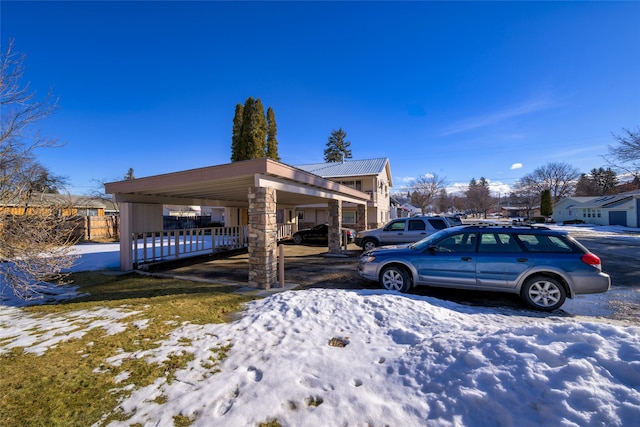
(408, 361)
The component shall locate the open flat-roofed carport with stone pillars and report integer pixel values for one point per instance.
(261, 186)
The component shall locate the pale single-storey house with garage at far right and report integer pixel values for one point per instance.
(619, 209)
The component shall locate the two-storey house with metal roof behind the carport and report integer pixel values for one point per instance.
(372, 176)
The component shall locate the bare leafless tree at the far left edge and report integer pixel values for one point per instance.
(36, 237)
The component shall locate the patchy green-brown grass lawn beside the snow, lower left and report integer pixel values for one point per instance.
(72, 385)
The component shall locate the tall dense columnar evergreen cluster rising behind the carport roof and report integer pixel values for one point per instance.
(253, 135)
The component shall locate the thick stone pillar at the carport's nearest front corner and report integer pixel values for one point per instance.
(263, 259)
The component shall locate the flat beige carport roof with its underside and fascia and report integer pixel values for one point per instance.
(227, 185)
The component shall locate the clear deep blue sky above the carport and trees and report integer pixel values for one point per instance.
(460, 89)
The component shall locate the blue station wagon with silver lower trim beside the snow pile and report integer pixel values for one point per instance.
(541, 265)
